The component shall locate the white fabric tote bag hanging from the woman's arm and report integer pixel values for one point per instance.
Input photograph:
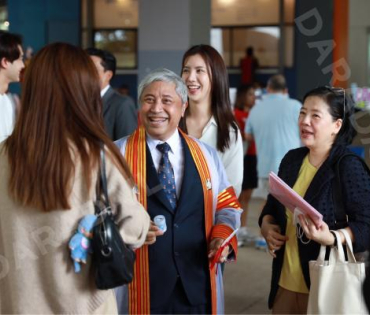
(336, 285)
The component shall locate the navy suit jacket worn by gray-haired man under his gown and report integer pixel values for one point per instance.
(181, 253)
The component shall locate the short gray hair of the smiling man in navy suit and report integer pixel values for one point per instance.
(164, 75)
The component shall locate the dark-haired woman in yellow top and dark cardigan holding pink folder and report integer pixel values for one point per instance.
(325, 130)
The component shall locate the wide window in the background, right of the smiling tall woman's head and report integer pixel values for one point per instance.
(252, 23)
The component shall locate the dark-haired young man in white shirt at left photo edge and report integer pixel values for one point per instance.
(11, 65)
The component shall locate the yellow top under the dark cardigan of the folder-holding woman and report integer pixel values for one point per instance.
(291, 275)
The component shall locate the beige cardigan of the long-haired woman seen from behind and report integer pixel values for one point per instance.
(36, 271)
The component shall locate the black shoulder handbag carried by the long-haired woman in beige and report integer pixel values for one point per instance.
(112, 258)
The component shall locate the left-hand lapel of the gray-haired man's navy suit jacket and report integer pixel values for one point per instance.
(154, 187)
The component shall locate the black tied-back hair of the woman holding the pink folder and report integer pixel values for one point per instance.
(341, 106)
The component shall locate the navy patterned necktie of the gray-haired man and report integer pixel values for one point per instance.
(166, 175)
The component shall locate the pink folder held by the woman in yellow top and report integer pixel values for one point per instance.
(290, 199)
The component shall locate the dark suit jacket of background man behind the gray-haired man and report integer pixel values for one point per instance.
(119, 114)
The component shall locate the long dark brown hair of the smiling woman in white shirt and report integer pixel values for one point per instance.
(220, 99)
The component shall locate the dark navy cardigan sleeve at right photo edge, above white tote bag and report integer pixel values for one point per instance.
(355, 181)
